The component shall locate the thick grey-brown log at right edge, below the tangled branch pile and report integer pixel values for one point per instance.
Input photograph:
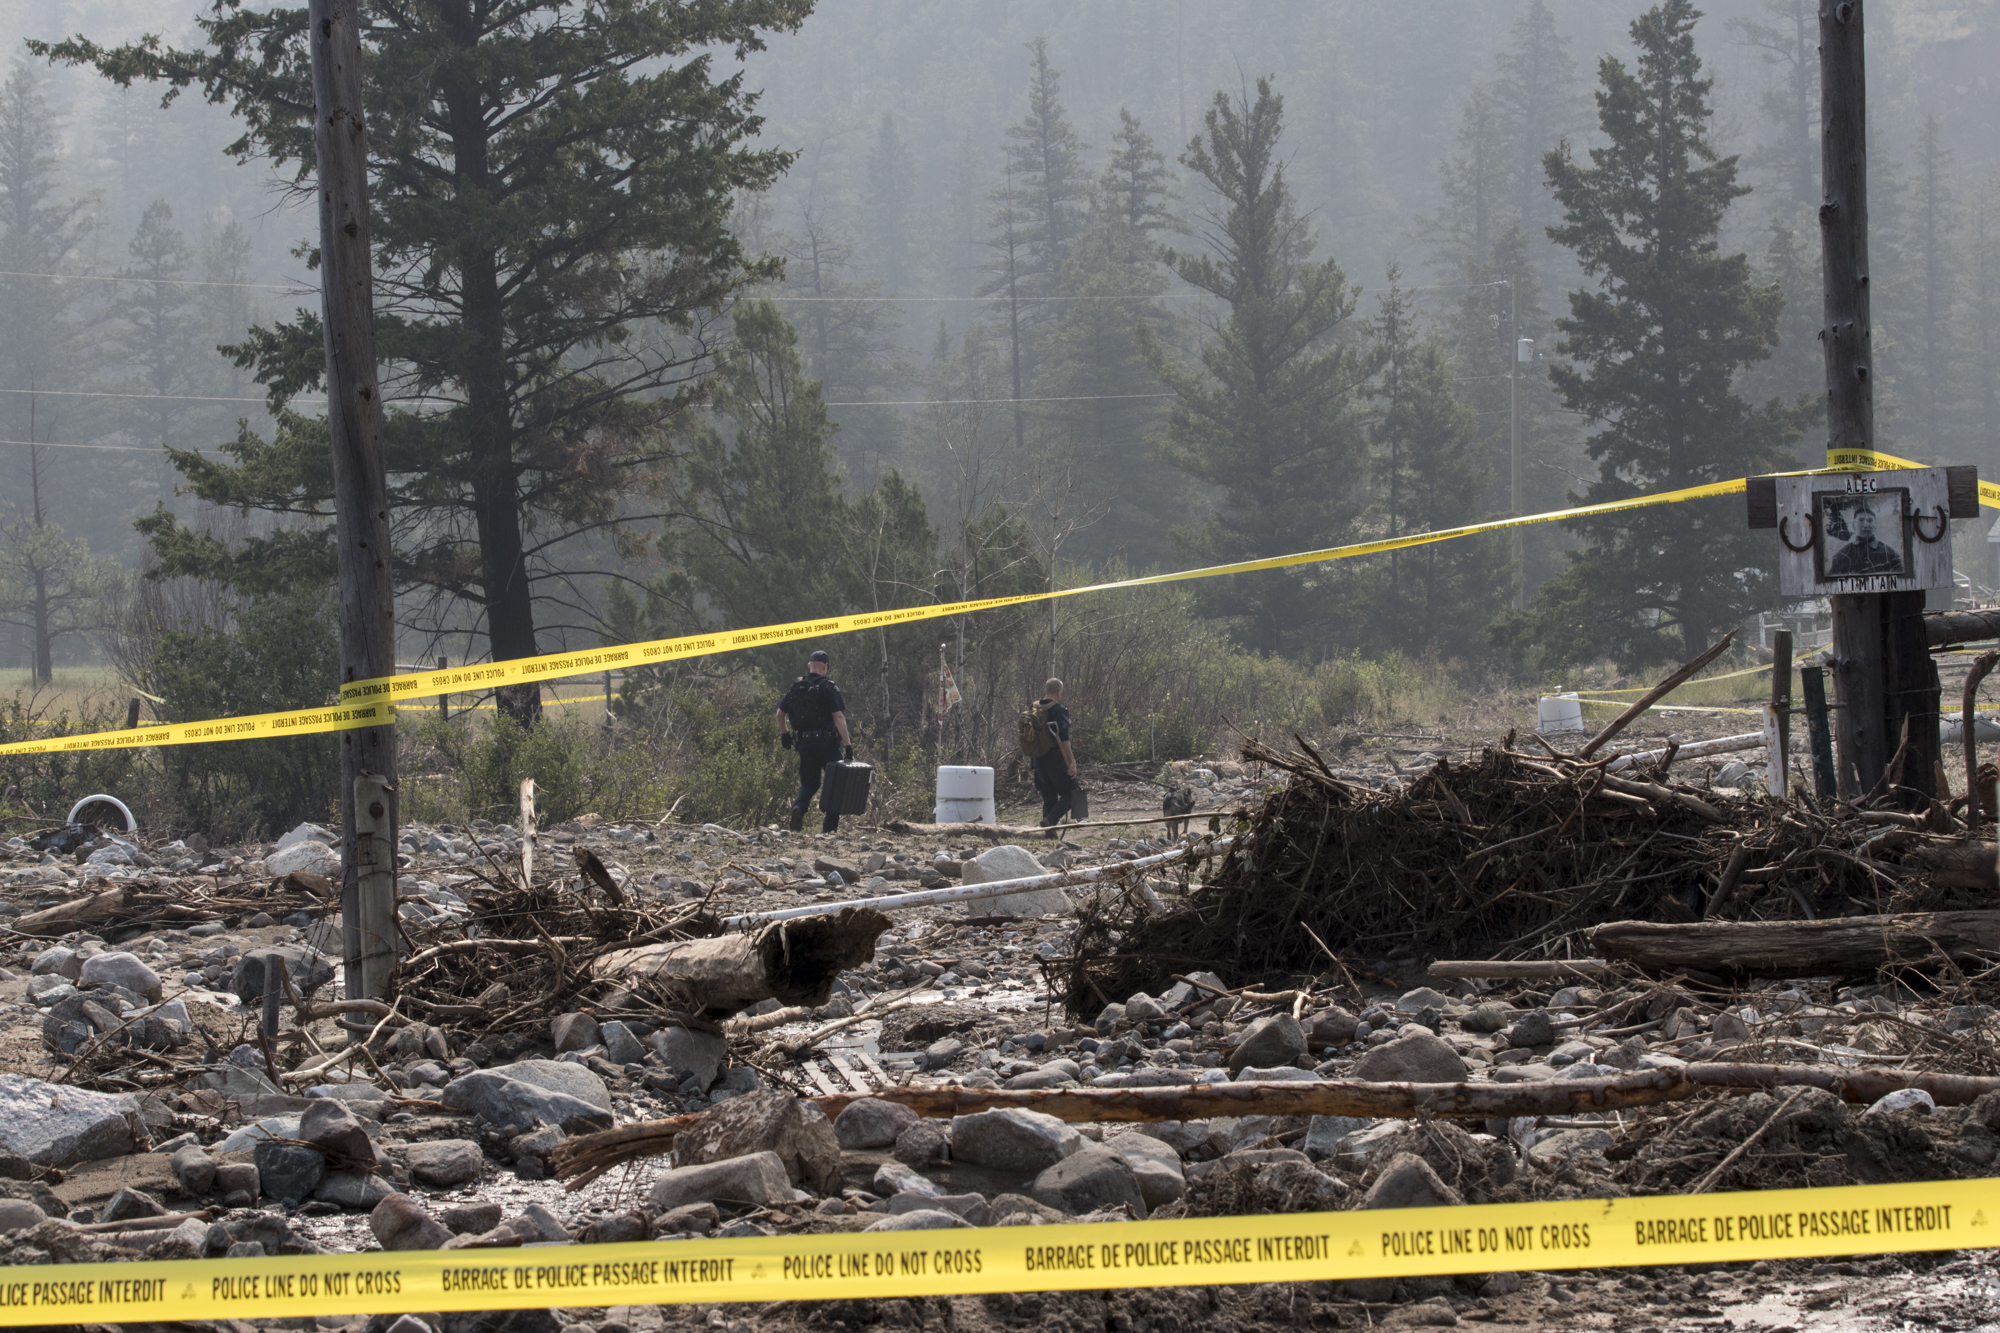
(1799, 948)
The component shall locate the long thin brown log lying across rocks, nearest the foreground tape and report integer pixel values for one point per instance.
(579, 1162)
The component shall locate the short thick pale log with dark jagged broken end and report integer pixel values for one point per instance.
(791, 962)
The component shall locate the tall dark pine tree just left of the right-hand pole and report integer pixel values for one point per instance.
(1655, 349)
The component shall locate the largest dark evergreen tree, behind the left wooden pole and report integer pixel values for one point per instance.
(551, 201)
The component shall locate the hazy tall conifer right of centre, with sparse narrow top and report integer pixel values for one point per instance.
(1271, 421)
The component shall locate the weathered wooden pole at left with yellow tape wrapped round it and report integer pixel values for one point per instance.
(361, 491)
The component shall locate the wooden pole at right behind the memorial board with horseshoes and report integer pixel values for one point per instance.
(1883, 676)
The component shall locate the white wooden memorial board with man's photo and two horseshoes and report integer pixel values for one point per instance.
(1861, 531)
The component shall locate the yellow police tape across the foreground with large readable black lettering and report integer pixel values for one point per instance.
(1293, 1248)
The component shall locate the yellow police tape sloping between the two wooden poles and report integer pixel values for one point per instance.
(361, 700)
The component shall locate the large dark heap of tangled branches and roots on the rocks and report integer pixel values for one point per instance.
(1493, 860)
